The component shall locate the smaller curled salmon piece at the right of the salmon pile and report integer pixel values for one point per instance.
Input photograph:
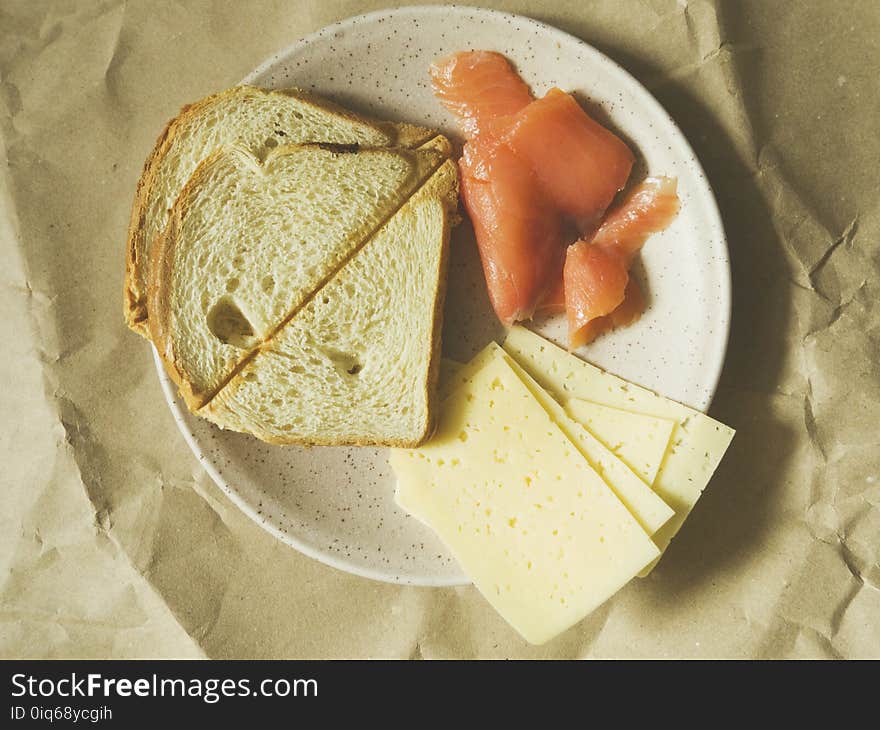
(599, 293)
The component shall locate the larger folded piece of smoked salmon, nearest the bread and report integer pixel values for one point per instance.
(535, 174)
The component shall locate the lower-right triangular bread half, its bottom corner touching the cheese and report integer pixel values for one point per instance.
(358, 363)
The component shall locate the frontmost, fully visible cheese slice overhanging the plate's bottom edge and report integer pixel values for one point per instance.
(538, 531)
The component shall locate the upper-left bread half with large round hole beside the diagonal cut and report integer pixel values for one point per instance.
(249, 242)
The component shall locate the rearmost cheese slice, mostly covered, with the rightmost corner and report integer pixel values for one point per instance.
(697, 444)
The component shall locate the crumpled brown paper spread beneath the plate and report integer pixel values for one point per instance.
(116, 544)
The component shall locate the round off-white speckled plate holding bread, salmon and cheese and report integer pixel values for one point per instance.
(337, 504)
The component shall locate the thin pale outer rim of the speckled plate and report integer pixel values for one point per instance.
(169, 390)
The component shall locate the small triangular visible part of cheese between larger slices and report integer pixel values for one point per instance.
(639, 440)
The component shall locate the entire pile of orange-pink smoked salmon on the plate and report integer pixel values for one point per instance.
(537, 174)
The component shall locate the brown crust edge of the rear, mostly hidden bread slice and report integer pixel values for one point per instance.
(135, 300)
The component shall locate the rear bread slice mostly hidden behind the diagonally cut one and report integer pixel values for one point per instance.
(255, 119)
